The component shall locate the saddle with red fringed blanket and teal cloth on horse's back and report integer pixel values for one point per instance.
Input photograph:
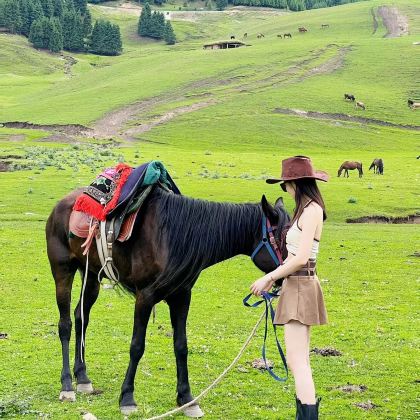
(108, 208)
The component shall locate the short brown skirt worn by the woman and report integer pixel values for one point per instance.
(301, 299)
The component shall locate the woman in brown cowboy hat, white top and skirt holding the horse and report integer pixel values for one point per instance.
(301, 302)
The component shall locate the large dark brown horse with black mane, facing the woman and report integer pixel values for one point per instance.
(172, 242)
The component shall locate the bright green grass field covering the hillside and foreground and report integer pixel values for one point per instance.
(222, 151)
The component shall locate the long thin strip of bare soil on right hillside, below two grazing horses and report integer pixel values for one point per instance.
(343, 117)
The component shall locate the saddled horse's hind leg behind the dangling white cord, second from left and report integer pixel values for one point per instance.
(90, 295)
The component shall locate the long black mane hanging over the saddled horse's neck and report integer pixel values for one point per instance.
(199, 233)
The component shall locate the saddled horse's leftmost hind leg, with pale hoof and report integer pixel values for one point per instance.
(63, 270)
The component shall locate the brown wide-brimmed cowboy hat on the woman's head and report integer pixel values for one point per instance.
(298, 167)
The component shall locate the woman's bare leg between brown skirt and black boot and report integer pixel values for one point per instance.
(296, 337)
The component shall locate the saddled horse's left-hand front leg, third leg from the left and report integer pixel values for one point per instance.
(142, 312)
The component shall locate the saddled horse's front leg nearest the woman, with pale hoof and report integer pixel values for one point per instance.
(179, 305)
